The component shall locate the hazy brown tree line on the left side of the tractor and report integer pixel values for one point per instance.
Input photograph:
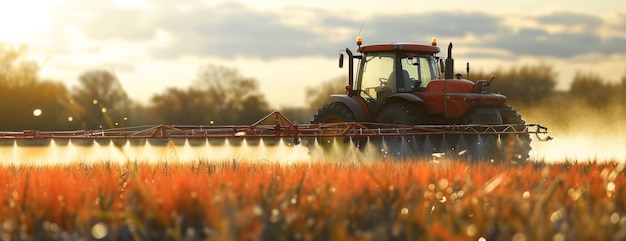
(219, 95)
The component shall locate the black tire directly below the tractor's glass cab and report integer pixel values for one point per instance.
(402, 113)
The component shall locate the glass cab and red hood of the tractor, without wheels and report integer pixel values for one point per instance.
(412, 73)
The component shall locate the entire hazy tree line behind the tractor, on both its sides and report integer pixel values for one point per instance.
(222, 96)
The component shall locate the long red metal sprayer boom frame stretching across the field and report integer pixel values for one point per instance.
(276, 125)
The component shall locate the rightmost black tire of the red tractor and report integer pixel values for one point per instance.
(514, 147)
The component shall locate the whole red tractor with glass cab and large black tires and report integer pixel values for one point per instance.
(400, 83)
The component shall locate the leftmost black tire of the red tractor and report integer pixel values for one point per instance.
(336, 112)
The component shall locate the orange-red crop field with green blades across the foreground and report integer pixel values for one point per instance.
(385, 200)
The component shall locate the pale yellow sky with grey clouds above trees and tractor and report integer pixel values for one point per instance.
(291, 45)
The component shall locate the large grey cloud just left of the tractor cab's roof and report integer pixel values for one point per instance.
(234, 30)
